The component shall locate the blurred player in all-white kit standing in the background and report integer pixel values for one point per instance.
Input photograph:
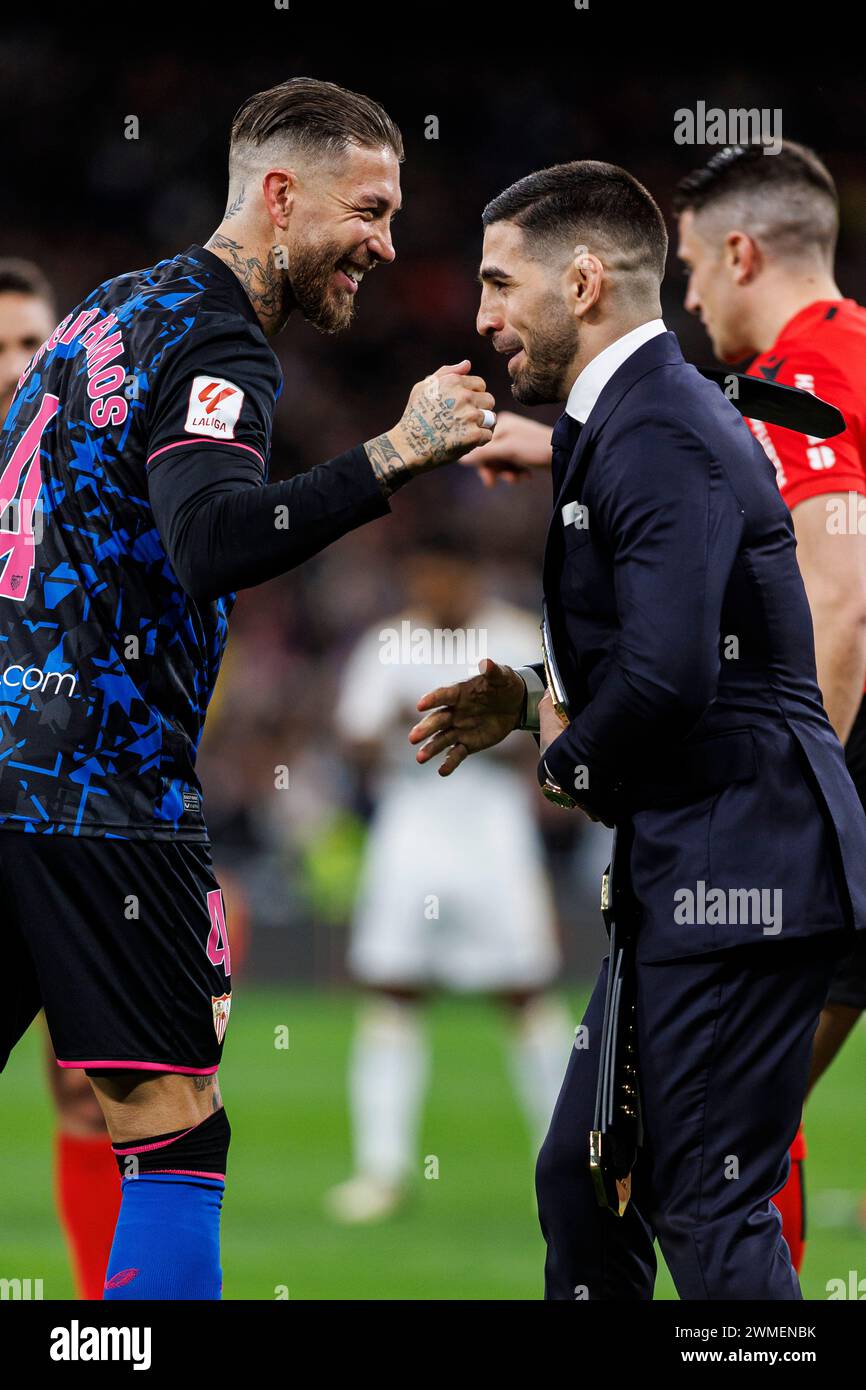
(454, 892)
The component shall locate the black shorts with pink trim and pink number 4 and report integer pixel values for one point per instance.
(124, 946)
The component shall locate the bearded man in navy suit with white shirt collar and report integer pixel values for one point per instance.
(683, 640)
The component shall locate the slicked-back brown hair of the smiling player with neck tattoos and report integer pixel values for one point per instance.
(319, 117)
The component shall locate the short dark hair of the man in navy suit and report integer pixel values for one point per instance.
(582, 199)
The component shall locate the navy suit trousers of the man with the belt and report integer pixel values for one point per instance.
(725, 1043)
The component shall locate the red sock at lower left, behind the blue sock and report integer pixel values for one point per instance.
(88, 1192)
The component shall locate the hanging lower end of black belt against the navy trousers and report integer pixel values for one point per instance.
(618, 1131)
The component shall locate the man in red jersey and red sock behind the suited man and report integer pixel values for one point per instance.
(758, 241)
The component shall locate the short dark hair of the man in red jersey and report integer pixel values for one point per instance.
(790, 195)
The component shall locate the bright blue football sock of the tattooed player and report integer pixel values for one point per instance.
(168, 1239)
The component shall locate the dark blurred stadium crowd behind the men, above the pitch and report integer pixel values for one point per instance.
(88, 202)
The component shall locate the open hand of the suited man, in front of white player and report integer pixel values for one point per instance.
(469, 717)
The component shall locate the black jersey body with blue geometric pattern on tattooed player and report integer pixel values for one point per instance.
(108, 667)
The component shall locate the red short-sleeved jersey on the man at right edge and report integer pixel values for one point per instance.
(824, 351)
